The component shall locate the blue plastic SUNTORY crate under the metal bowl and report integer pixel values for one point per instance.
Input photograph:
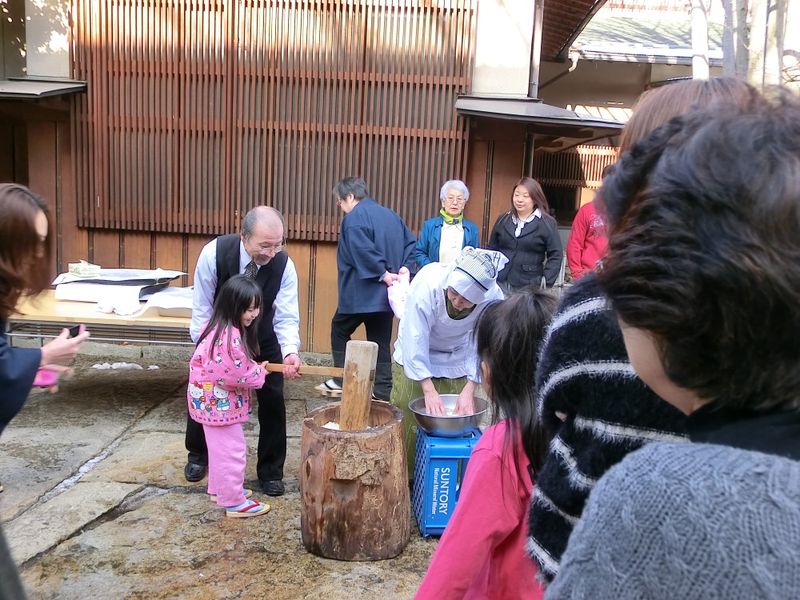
(438, 472)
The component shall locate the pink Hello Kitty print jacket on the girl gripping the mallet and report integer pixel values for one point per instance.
(221, 381)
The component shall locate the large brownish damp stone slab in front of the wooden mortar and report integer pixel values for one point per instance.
(178, 545)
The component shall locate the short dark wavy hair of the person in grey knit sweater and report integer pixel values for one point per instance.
(705, 251)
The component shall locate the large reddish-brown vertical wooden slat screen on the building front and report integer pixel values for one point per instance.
(198, 110)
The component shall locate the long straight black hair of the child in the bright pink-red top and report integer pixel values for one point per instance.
(507, 336)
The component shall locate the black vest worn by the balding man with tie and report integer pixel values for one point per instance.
(268, 279)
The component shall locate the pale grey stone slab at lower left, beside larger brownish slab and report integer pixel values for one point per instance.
(51, 522)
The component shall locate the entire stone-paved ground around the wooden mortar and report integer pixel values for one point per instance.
(95, 502)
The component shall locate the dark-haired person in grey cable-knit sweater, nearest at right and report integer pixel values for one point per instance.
(703, 273)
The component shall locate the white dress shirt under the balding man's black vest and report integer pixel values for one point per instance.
(286, 322)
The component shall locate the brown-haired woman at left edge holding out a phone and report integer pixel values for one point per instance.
(25, 252)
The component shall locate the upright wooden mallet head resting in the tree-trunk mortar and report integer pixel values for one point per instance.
(360, 360)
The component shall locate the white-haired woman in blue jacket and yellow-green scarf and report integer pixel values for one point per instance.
(443, 236)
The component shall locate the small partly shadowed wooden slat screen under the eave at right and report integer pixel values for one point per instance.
(581, 166)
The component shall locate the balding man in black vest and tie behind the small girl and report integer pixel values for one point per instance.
(257, 253)
